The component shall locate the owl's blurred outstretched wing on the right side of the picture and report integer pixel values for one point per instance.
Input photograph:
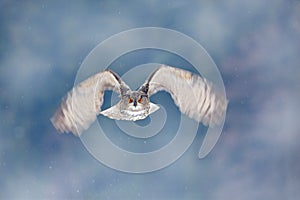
(193, 94)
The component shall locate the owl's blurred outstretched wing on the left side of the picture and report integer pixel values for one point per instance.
(80, 107)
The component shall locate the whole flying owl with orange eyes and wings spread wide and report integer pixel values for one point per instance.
(193, 95)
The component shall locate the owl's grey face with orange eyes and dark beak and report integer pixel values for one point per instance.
(135, 101)
